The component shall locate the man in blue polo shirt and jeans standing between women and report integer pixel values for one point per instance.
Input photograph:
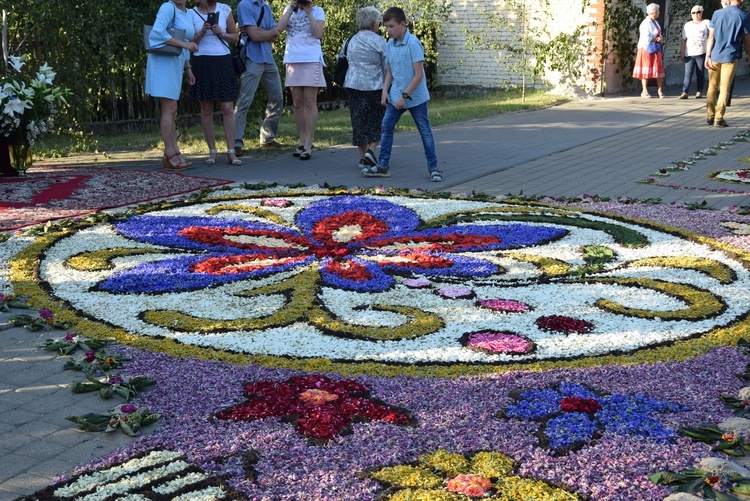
(259, 27)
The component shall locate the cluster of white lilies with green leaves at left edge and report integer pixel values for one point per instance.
(28, 103)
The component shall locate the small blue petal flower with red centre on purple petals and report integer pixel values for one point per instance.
(571, 415)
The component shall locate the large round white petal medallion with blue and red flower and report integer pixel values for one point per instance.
(311, 275)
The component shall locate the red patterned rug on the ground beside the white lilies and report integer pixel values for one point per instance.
(46, 193)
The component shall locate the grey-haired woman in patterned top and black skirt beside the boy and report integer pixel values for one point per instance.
(364, 84)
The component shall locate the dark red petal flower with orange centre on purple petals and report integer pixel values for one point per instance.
(318, 407)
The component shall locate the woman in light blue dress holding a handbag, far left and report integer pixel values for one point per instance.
(164, 74)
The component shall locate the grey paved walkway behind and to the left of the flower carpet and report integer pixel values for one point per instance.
(597, 146)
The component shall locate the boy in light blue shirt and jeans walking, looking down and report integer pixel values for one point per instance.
(405, 88)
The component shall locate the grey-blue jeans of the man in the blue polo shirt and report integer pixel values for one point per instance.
(268, 74)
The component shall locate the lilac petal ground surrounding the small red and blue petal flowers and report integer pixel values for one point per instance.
(457, 414)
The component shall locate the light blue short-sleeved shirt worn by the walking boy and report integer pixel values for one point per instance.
(400, 57)
